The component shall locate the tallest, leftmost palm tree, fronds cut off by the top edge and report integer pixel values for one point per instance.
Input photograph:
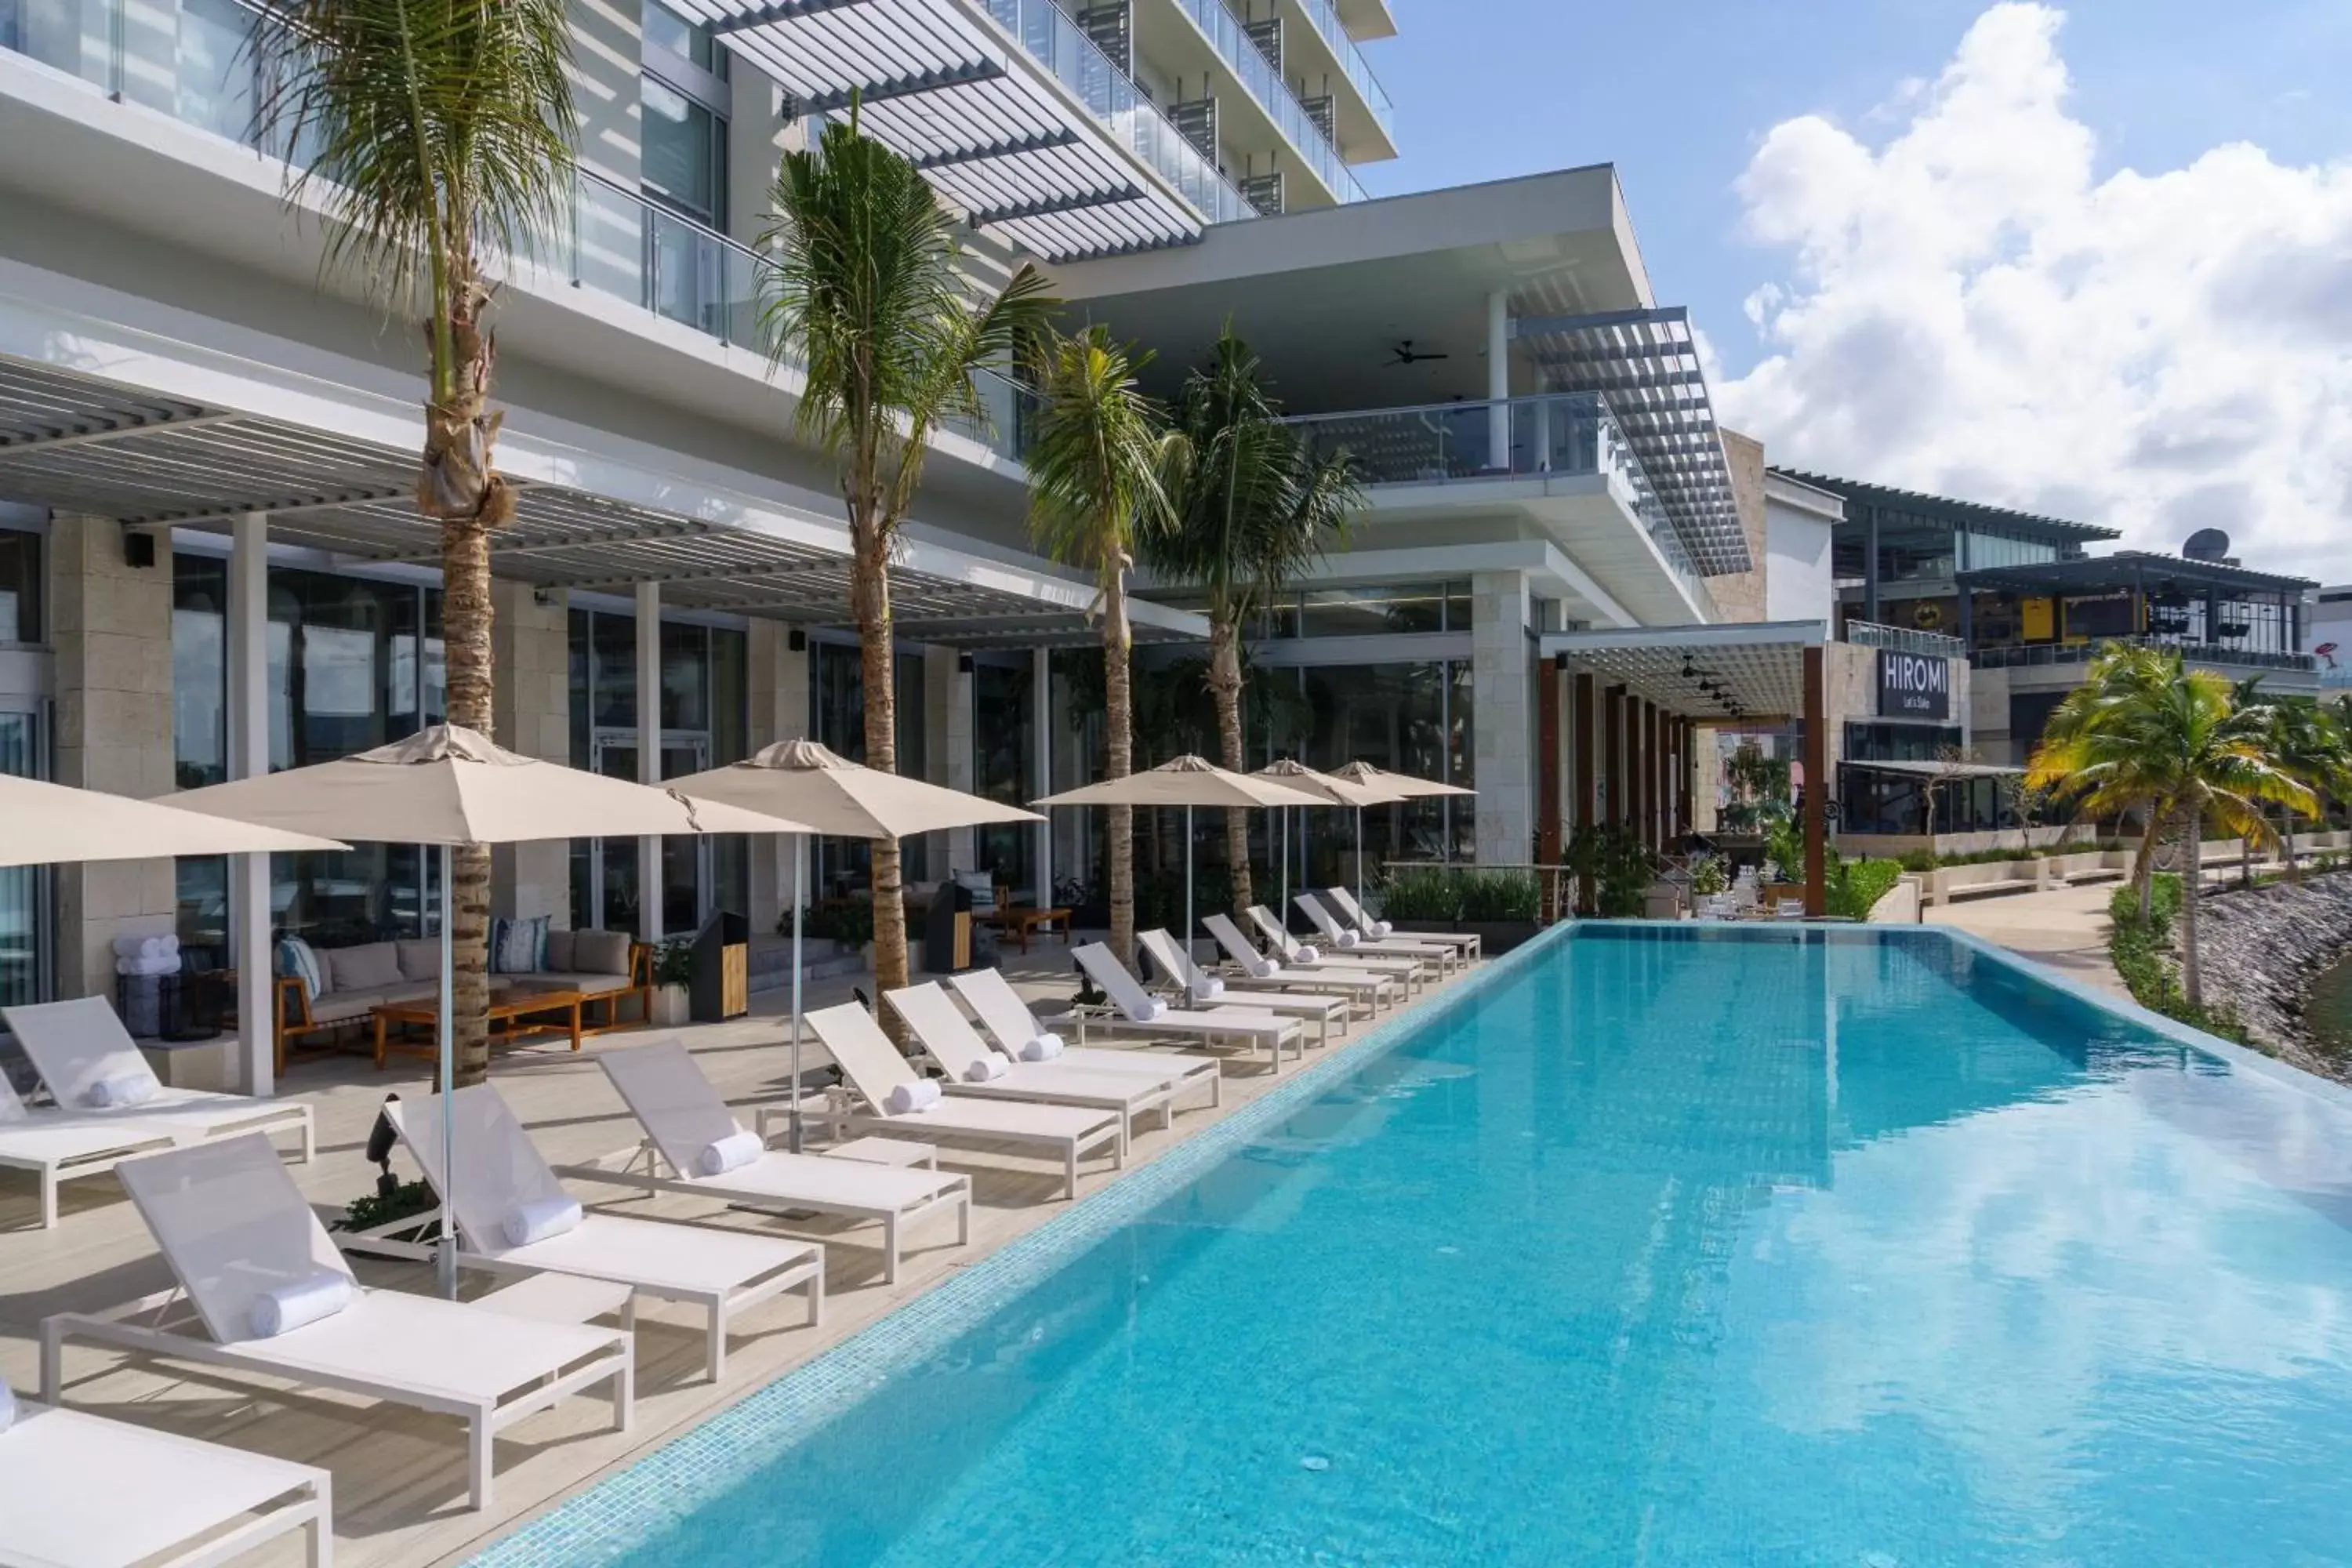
(436, 133)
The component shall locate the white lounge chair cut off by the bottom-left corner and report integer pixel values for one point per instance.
(83, 1492)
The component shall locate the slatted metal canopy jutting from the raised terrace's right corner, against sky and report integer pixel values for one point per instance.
(1645, 366)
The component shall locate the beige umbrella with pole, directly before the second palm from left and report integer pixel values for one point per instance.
(838, 800)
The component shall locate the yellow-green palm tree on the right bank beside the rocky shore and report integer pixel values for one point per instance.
(2193, 749)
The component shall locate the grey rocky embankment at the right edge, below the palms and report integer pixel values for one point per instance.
(2261, 953)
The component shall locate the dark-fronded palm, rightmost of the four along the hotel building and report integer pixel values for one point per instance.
(1252, 514)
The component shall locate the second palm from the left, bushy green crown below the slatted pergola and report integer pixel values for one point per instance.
(864, 286)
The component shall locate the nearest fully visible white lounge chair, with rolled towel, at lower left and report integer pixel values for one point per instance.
(236, 1231)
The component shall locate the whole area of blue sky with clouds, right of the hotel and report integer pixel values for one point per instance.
(2080, 257)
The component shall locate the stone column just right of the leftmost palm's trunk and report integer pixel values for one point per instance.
(533, 711)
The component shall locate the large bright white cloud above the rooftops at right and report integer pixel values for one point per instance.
(1972, 311)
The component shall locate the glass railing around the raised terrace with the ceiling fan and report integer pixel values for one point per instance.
(1464, 443)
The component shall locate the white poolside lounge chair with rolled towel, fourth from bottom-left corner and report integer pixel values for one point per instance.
(683, 1118)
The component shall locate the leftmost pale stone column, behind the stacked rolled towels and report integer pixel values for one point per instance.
(112, 631)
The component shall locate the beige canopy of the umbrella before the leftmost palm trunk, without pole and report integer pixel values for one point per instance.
(453, 786)
